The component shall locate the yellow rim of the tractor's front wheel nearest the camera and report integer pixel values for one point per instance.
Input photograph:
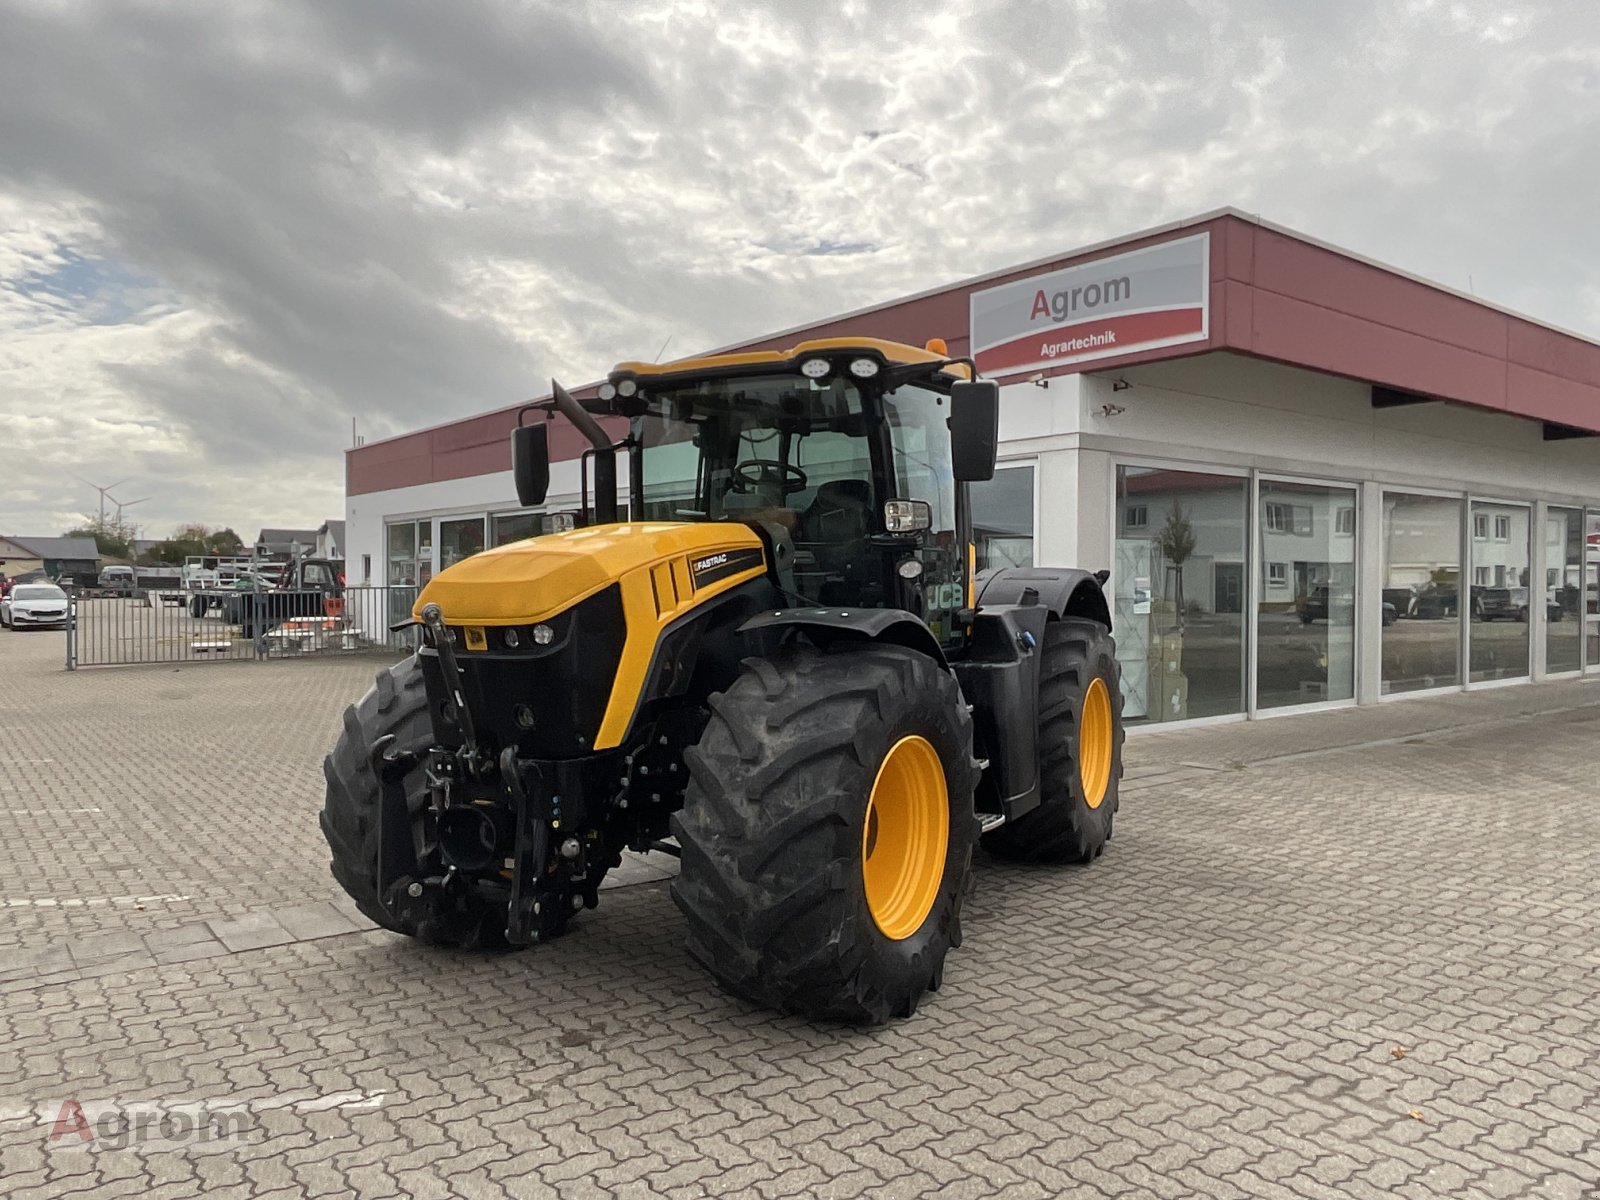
(905, 838)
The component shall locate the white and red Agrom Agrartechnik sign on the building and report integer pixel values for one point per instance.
(1137, 302)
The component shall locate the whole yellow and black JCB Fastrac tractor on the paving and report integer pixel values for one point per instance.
(782, 666)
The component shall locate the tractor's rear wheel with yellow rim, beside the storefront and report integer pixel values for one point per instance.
(1071, 825)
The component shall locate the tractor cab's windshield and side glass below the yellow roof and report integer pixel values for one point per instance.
(814, 460)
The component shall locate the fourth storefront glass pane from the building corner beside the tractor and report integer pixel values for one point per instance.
(1500, 591)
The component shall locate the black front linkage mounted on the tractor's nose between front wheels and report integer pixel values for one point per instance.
(449, 860)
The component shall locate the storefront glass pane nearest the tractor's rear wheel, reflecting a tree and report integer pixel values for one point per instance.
(1180, 593)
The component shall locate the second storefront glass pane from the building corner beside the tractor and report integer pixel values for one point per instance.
(1306, 614)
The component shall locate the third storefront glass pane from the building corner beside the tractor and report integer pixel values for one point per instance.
(1422, 590)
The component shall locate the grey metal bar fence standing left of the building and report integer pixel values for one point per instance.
(230, 626)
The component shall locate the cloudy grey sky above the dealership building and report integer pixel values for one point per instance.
(230, 230)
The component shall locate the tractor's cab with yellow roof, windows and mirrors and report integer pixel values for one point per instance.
(849, 458)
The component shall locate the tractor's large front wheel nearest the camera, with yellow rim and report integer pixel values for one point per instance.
(818, 799)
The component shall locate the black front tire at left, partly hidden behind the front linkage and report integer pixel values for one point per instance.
(350, 818)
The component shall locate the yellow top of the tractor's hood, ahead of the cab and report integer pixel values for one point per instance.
(542, 577)
